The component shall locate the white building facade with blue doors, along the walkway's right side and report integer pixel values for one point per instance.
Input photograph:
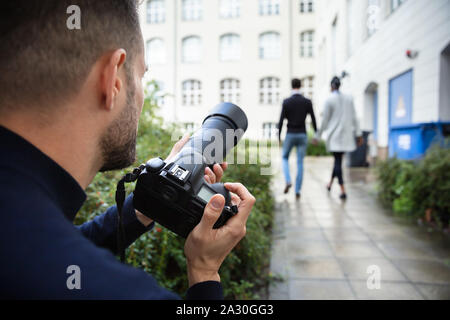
(395, 55)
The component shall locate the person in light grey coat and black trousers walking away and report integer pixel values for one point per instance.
(342, 127)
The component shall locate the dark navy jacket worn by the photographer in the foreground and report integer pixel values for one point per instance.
(39, 243)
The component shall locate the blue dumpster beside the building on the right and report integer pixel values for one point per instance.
(410, 142)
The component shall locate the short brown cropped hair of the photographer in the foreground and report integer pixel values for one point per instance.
(43, 62)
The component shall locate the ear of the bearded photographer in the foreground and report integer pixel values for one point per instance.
(111, 82)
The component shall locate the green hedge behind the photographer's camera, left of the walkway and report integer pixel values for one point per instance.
(244, 273)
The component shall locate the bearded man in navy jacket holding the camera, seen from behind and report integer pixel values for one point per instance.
(70, 102)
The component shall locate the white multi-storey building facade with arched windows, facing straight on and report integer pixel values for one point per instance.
(202, 52)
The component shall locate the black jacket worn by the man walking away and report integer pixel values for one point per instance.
(295, 110)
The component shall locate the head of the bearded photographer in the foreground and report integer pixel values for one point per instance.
(45, 66)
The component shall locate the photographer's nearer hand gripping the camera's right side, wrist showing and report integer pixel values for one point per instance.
(206, 248)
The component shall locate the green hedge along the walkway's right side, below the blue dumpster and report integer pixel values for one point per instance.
(418, 189)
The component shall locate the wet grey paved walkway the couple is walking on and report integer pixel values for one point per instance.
(323, 247)
